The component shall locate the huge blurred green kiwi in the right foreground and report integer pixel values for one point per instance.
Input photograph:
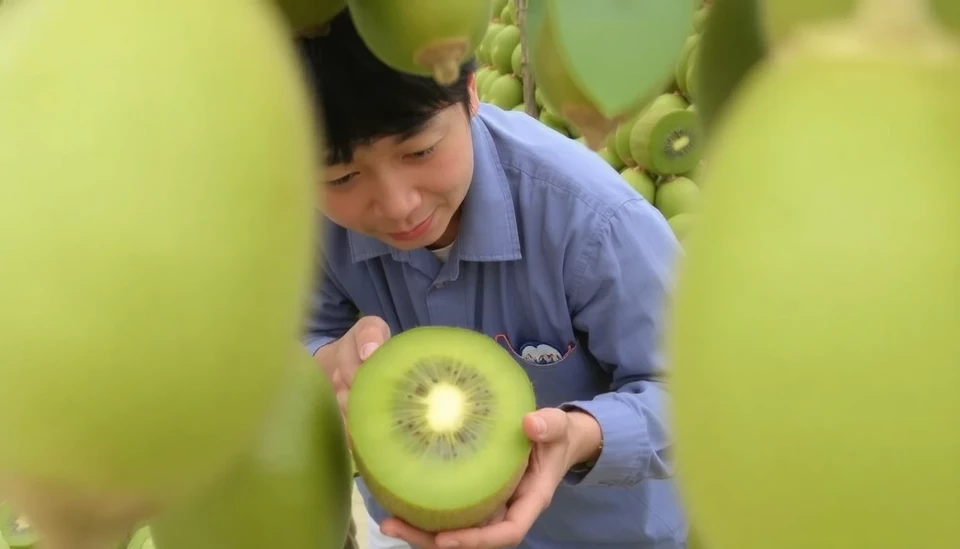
(827, 246)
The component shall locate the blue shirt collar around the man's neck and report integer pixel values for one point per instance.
(488, 223)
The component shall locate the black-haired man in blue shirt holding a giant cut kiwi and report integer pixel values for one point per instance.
(440, 210)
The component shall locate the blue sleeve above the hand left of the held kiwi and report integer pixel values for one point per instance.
(331, 312)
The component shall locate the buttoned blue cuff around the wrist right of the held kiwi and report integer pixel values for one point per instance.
(626, 447)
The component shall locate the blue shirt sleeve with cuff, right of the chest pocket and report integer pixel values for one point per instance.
(625, 271)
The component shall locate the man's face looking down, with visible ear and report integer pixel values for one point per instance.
(406, 191)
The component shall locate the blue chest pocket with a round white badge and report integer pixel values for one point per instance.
(558, 376)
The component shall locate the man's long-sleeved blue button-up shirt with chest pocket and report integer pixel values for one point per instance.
(554, 248)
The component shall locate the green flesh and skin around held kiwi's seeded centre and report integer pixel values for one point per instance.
(486, 485)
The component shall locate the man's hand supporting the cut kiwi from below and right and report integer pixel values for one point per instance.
(560, 441)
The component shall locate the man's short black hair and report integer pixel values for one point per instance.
(361, 98)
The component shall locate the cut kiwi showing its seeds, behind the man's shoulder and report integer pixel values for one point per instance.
(666, 137)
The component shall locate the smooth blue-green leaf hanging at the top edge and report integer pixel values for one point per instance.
(620, 51)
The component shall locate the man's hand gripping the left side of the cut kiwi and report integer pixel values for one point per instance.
(347, 354)
